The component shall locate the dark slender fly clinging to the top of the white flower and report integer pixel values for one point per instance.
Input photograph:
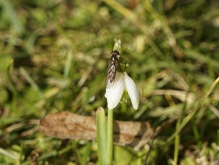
(112, 67)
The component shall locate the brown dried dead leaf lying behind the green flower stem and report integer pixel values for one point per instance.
(66, 125)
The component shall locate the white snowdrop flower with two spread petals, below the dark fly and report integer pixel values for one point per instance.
(122, 82)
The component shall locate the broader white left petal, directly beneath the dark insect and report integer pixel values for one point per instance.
(114, 93)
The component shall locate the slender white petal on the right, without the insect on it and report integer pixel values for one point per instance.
(132, 91)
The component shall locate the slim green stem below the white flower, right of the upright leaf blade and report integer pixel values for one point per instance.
(110, 137)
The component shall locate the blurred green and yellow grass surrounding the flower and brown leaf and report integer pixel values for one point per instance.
(54, 56)
